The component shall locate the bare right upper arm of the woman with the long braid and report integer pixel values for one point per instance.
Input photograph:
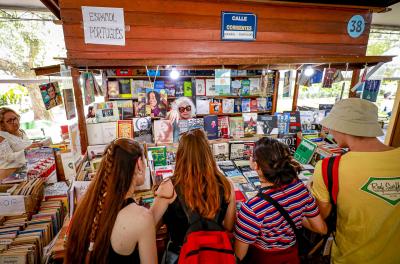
(147, 241)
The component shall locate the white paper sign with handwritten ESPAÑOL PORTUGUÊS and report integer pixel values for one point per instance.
(103, 25)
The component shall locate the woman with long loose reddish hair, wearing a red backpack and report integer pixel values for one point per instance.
(199, 184)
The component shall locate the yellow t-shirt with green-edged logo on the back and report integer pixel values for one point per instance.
(368, 223)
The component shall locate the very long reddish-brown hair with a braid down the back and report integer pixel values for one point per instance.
(90, 232)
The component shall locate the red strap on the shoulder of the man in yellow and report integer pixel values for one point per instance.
(330, 173)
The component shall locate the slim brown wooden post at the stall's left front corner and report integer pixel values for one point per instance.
(80, 109)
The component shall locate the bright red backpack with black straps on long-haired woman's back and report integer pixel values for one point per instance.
(206, 242)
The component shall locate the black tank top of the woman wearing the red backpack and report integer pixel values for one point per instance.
(177, 223)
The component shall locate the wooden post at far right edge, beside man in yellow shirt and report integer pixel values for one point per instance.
(393, 131)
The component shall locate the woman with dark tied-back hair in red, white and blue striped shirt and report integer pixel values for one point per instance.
(262, 234)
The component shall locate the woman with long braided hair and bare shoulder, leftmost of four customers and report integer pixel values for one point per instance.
(108, 227)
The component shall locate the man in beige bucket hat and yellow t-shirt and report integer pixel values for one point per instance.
(368, 201)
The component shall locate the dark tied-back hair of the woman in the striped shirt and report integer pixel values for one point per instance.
(275, 161)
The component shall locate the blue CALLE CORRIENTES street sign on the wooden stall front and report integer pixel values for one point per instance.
(238, 26)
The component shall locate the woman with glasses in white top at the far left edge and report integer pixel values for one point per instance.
(13, 143)
